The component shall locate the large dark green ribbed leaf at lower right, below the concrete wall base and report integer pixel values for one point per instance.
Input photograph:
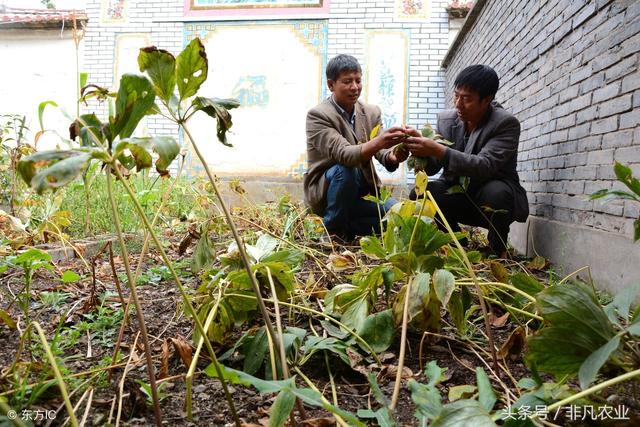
(576, 326)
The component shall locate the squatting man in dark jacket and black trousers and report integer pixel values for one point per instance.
(485, 149)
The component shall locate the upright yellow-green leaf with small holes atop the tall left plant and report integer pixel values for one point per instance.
(191, 68)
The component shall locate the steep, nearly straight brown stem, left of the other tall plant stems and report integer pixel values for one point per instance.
(134, 297)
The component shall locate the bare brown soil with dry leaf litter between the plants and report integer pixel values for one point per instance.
(166, 320)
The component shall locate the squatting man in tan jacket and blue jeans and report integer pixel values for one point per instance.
(339, 154)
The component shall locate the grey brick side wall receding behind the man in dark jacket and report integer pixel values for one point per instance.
(569, 71)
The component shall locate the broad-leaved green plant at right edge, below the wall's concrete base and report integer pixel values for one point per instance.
(580, 336)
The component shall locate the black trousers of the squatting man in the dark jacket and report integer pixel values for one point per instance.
(471, 208)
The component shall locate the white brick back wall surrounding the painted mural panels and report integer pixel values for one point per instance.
(348, 20)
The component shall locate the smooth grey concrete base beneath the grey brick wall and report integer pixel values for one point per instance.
(613, 258)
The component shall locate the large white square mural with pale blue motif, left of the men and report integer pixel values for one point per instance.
(277, 78)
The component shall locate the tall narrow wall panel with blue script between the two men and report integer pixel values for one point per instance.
(387, 82)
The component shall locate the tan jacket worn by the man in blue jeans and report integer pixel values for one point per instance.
(331, 141)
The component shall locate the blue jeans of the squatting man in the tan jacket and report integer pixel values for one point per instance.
(347, 213)
